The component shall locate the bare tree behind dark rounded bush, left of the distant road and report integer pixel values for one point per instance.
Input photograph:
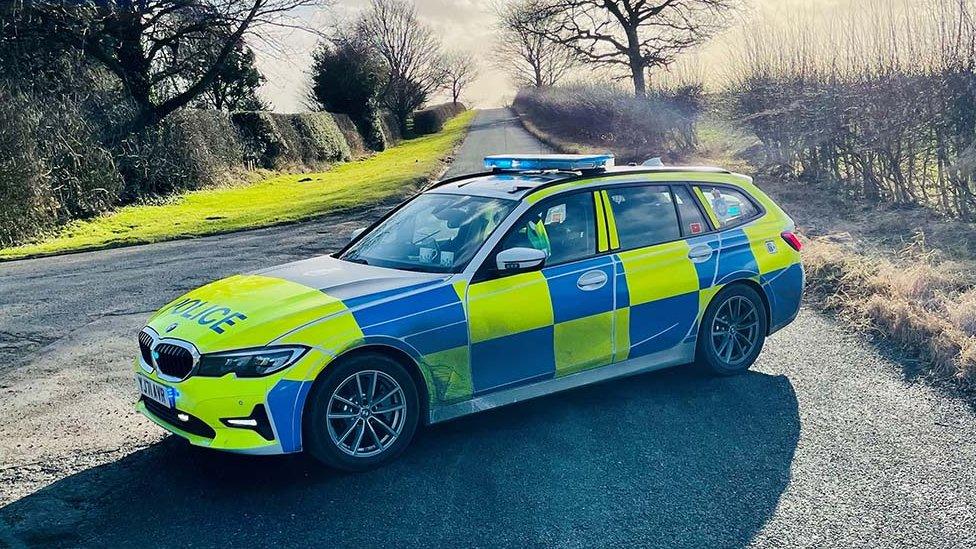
(411, 52)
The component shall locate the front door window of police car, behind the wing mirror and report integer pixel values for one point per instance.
(564, 227)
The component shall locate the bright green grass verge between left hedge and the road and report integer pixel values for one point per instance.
(276, 200)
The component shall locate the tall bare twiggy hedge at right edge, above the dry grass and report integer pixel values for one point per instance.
(885, 117)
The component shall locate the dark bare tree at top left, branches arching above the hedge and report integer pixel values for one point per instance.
(166, 53)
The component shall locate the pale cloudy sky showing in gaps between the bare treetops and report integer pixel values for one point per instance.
(465, 25)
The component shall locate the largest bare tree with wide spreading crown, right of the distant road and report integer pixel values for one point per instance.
(634, 34)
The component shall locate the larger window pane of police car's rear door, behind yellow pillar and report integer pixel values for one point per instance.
(644, 215)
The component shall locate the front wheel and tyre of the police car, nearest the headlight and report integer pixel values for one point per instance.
(362, 414)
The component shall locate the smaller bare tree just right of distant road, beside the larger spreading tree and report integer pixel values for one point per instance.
(524, 51)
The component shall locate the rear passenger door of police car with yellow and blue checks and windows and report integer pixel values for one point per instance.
(658, 282)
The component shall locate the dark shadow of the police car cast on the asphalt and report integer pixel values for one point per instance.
(671, 458)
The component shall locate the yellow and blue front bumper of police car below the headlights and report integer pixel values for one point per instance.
(202, 406)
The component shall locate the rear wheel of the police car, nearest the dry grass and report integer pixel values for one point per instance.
(732, 331)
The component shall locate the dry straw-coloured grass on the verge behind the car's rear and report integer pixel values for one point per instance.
(924, 305)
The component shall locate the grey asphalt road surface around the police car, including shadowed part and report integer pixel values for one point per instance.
(824, 444)
